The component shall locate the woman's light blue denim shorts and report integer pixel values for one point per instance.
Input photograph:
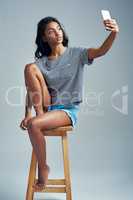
(71, 110)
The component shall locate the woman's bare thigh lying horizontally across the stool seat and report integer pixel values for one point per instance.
(51, 119)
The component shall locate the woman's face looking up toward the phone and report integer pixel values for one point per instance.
(53, 34)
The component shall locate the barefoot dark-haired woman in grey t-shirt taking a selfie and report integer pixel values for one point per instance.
(54, 84)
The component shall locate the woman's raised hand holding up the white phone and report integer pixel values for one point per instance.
(111, 25)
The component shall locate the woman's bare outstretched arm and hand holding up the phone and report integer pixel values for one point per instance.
(112, 26)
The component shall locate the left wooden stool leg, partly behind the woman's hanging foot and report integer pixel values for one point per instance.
(32, 177)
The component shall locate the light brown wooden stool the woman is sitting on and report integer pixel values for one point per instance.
(59, 185)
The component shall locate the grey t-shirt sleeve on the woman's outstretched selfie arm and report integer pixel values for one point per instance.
(84, 56)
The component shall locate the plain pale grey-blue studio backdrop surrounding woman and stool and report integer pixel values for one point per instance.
(101, 145)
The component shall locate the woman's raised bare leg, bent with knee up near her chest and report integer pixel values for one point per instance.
(37, 88)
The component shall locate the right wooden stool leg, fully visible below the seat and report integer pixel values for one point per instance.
(66, 167)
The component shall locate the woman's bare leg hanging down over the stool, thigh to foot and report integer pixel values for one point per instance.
(36, 127)
